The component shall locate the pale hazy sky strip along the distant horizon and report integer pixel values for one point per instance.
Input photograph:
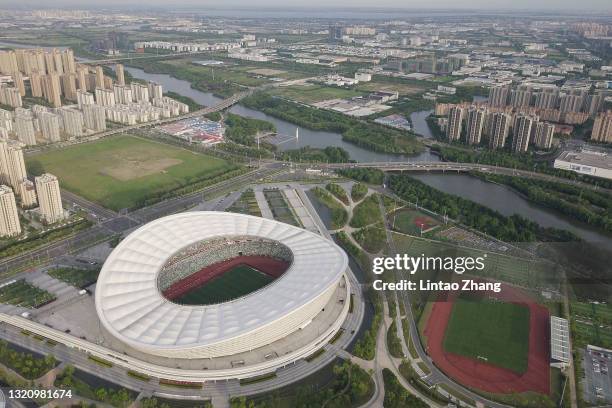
(315, 6)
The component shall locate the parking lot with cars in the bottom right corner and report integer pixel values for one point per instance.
(597, 381)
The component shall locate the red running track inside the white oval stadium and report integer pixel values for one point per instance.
(270, 266)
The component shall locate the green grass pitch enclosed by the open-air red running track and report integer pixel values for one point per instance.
(495, 332)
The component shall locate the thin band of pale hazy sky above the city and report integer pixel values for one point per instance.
(550, 5)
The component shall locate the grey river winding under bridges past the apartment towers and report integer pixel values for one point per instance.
(494, 196)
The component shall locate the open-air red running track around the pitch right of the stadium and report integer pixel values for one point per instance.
(487, 377)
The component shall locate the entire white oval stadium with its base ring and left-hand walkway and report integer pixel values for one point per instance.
(203, 296)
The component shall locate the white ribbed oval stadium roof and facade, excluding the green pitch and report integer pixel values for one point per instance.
(136, 291)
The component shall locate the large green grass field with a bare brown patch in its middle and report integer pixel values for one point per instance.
(119, 172)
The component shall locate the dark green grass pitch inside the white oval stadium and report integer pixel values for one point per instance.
(236, 282)
